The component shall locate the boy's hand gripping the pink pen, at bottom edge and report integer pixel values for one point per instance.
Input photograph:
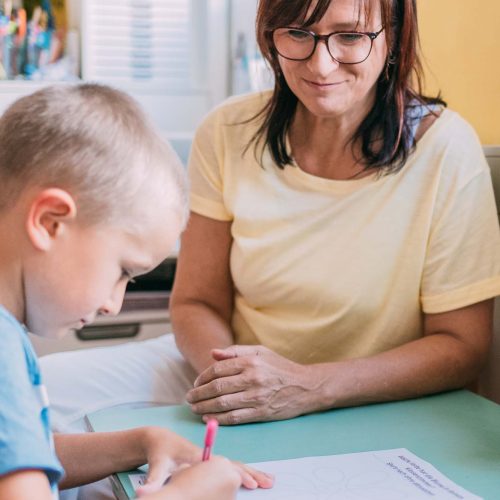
(215, 479)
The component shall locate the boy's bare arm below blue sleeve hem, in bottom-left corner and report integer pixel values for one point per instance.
(25, 485)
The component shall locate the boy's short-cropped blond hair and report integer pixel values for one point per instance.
(94, 142)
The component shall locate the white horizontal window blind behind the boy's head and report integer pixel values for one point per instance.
(142, 42)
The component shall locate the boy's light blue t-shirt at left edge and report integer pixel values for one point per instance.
(25, 435)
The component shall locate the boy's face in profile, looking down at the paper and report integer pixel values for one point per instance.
(87, 271)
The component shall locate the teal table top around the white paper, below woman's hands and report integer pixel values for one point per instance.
(457, 432)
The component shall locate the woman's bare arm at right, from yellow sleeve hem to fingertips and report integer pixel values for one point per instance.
(258, 384)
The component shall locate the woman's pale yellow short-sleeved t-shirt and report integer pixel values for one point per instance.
(327, 270)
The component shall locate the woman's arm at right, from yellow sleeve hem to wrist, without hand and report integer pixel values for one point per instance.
(450, 355)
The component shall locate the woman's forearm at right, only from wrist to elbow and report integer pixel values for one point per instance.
(431, 364)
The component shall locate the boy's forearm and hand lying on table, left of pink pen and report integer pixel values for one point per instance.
(91, 456)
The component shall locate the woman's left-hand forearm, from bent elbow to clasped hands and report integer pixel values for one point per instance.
(198, 329)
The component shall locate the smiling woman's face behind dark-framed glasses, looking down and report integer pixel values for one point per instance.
(328, 89)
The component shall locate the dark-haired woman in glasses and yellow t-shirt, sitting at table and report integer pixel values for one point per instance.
(343, 246)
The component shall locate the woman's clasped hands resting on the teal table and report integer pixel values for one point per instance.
(250, 384)
